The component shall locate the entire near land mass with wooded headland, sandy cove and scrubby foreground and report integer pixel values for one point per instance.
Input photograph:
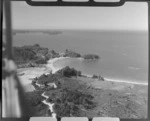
(68, 92)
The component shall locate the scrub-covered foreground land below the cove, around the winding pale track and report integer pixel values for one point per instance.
(79, 96)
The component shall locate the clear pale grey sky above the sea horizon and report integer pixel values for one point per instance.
(131, 16)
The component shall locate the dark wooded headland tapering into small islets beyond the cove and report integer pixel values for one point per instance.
(34, 55)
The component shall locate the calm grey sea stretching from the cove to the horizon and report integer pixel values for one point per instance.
(123, 55)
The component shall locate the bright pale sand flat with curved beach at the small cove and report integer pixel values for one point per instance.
(27, 74)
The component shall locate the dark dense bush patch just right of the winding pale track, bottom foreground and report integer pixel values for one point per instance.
(72, 102)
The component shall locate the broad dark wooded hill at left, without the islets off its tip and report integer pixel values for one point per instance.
(32, 55)
